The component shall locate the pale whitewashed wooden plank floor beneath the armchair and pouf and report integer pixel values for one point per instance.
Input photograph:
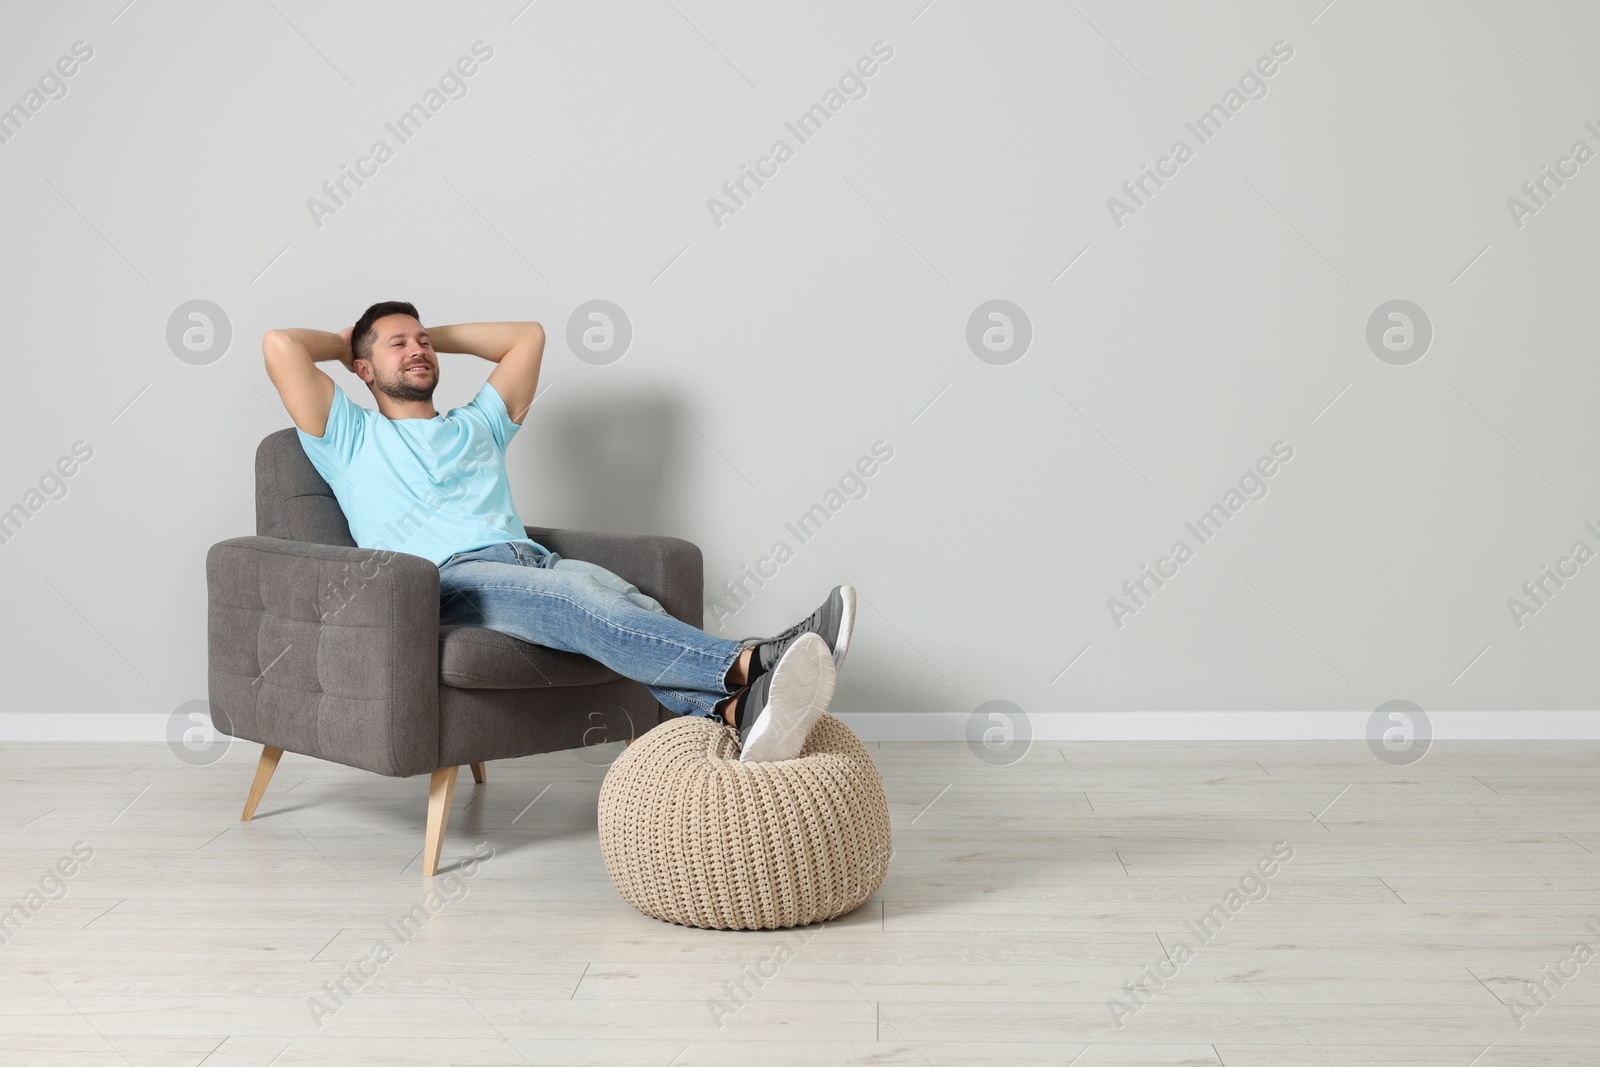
(1018, 903)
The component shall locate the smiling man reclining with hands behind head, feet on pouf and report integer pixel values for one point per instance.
(434, 486)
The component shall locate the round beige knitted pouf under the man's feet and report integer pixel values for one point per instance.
(692, 836)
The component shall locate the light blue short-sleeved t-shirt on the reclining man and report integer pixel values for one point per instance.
(425, 487)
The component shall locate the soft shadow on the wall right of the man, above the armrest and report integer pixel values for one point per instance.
(607, 463)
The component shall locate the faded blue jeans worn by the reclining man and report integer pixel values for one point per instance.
(577, 607)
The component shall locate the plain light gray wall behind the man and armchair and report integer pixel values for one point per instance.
(1175, 340)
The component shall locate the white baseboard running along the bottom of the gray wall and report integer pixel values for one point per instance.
(953, 727)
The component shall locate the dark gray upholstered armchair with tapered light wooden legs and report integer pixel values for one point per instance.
(329, 650)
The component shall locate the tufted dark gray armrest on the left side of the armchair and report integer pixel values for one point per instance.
(326, 650)
